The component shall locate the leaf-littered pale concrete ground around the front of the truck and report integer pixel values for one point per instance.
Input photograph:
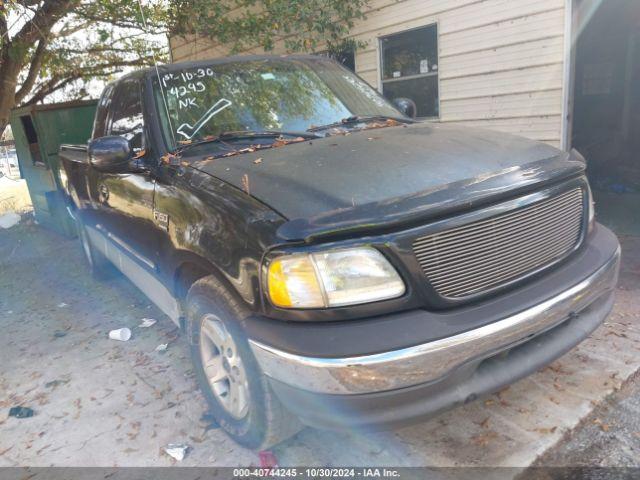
(99, 402)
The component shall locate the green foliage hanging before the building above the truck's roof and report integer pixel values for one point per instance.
(303, 25)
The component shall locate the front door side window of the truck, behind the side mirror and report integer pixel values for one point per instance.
(126, 114)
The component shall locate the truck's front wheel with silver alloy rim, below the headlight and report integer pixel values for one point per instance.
(238, 393)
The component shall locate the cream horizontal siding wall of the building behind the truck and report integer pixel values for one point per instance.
(500, 61)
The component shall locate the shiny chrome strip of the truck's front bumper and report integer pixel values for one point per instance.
(431, 361)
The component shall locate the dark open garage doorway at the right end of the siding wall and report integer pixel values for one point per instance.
(606, 120)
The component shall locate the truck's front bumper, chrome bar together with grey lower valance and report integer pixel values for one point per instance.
(453, 369)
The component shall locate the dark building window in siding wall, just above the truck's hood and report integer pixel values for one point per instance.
(410, 68)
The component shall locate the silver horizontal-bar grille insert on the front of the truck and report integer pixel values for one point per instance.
(486, 254)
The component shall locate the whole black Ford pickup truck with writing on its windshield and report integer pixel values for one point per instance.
(331, 261)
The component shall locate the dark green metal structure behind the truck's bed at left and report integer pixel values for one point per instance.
(39, 130)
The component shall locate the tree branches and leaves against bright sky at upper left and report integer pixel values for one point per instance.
(48, 46)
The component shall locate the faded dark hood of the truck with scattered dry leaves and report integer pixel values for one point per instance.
(381, 177)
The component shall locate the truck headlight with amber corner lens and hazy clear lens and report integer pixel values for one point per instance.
(332, 278)
